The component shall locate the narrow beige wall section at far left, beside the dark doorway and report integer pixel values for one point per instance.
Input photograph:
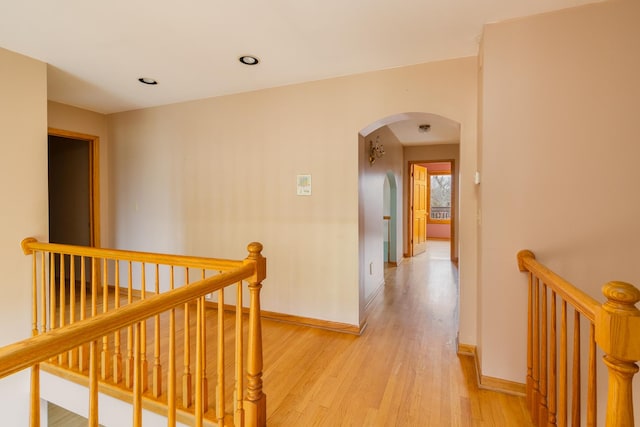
(23, 191)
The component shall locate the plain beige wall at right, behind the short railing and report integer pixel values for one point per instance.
(560, 162)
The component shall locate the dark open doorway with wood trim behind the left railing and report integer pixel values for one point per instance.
(73, 188)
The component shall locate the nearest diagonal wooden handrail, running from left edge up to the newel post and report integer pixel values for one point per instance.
(28, 352)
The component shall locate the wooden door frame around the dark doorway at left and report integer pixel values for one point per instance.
(94, 178)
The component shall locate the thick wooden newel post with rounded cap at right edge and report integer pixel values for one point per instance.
(618, 334)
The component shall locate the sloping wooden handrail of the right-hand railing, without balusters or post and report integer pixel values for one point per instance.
(574, 296)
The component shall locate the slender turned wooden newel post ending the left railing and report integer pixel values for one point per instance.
(256, 400)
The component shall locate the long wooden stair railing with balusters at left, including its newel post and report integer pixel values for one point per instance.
(77, 335)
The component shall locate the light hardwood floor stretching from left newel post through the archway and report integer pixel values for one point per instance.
(403, 370)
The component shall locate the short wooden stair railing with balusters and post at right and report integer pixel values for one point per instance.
(614, 326)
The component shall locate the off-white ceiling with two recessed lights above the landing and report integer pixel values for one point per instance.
(96, 51)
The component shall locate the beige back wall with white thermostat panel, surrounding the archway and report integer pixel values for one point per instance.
(209, 176)
